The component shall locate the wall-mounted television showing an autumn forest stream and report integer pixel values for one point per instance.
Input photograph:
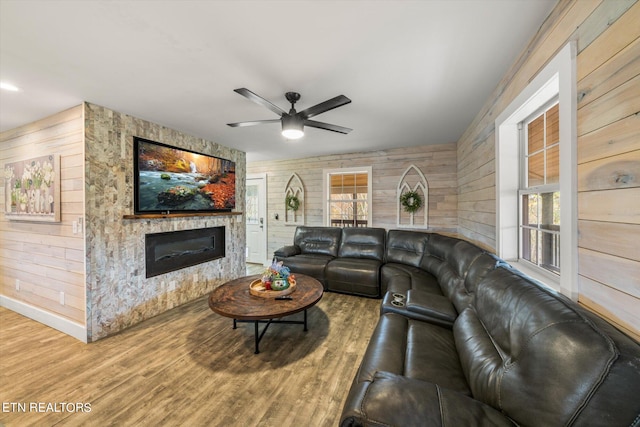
(169, 179)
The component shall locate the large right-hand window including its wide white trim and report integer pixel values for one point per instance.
(532, 175)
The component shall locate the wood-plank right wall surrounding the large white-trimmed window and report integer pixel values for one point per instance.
(608, 74)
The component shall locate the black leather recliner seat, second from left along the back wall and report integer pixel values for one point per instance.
(356, 270)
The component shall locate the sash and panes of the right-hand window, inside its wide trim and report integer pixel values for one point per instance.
(540, 190)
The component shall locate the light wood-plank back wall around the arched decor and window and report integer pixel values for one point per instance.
(437, 162)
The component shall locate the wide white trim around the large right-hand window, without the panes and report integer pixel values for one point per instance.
(558, 77)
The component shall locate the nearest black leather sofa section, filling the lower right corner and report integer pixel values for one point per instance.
(518, 355)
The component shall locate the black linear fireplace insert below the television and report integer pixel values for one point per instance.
(165, 252)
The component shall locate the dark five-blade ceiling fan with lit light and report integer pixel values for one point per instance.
(293, 122)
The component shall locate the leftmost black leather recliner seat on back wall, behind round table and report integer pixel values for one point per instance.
(312, 249)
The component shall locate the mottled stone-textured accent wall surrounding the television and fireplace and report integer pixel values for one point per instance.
(118, 294)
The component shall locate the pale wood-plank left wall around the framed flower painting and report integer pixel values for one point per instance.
(47, 258)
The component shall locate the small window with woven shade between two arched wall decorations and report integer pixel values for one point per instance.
(347, 195)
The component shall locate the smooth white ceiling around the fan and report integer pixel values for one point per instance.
(417, 71)
